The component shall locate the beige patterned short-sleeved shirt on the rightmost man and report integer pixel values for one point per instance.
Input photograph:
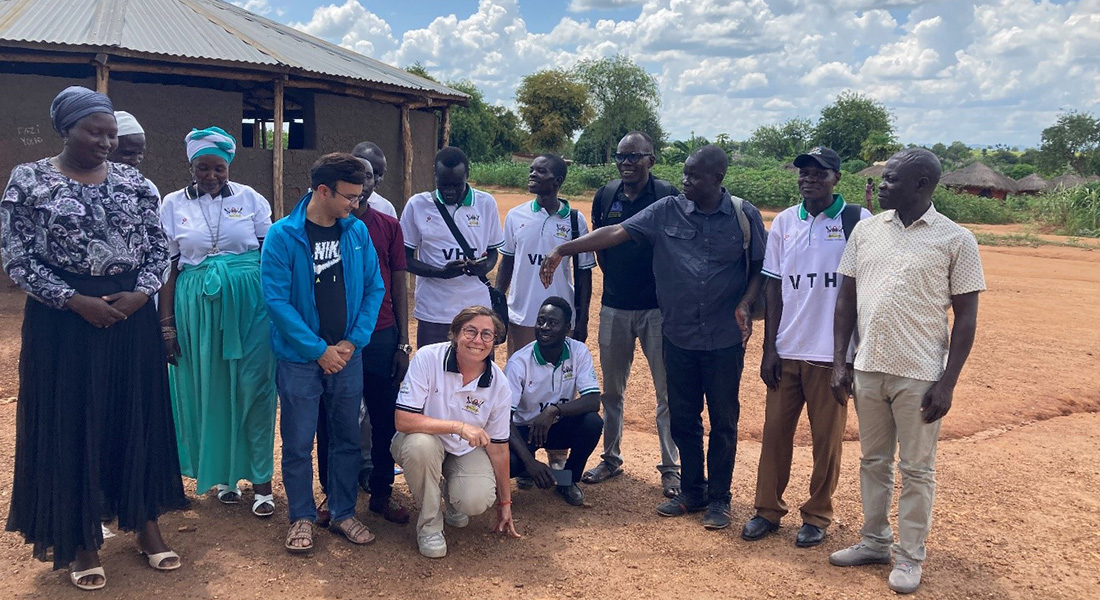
(906, 278)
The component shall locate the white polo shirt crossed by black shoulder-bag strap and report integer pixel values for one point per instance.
(438, 301)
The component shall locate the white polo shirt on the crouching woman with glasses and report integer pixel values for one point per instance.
(434, 387)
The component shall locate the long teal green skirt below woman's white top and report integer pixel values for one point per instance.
(224, 388)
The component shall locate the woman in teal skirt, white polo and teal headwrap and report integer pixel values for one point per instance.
(216, 328)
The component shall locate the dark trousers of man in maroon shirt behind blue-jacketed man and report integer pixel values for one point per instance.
(380, 397)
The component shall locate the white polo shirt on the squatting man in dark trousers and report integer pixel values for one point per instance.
(537, 385)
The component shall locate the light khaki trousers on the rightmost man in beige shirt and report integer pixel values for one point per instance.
(889, 409)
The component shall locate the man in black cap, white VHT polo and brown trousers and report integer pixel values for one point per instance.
(805, 248)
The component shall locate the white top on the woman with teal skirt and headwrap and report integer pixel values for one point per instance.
(191, 222)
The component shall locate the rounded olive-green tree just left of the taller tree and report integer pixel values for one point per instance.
(554, 106)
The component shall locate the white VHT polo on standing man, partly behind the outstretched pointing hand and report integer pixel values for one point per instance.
(530, 235)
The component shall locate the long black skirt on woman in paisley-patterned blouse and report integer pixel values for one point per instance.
(94, 427)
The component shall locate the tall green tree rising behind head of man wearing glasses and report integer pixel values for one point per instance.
(625, 99)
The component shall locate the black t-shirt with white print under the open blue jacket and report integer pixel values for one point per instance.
(328, 281)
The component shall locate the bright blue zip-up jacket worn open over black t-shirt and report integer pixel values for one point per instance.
(287, 272)
